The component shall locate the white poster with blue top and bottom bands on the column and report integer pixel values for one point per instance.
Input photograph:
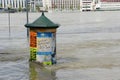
(44, 43)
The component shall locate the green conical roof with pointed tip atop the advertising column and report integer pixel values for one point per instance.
(42, 22)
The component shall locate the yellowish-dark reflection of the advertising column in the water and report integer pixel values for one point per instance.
(38, 72)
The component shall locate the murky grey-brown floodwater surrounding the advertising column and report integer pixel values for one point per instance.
(88, 47)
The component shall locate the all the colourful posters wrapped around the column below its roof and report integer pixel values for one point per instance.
(43, 47)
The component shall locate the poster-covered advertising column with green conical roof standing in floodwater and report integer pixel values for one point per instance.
(43, 40)
